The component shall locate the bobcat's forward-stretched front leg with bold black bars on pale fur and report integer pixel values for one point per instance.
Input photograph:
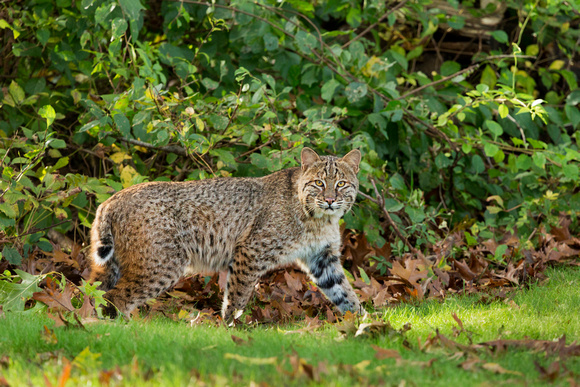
(327, 272)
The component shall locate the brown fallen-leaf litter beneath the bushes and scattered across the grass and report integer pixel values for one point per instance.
(283, 296)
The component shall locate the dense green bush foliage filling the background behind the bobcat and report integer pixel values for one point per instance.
(99, 95)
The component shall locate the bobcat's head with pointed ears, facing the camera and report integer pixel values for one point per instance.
(328, 185)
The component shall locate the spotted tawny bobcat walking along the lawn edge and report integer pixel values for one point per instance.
(146, 237)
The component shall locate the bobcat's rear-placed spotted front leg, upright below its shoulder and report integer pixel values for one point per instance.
(243, 274)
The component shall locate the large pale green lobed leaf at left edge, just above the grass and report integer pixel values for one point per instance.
(13, 296)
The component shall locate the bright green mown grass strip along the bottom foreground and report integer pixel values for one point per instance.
(163, 352)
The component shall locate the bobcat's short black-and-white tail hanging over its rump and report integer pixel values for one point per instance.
(105, 266)
